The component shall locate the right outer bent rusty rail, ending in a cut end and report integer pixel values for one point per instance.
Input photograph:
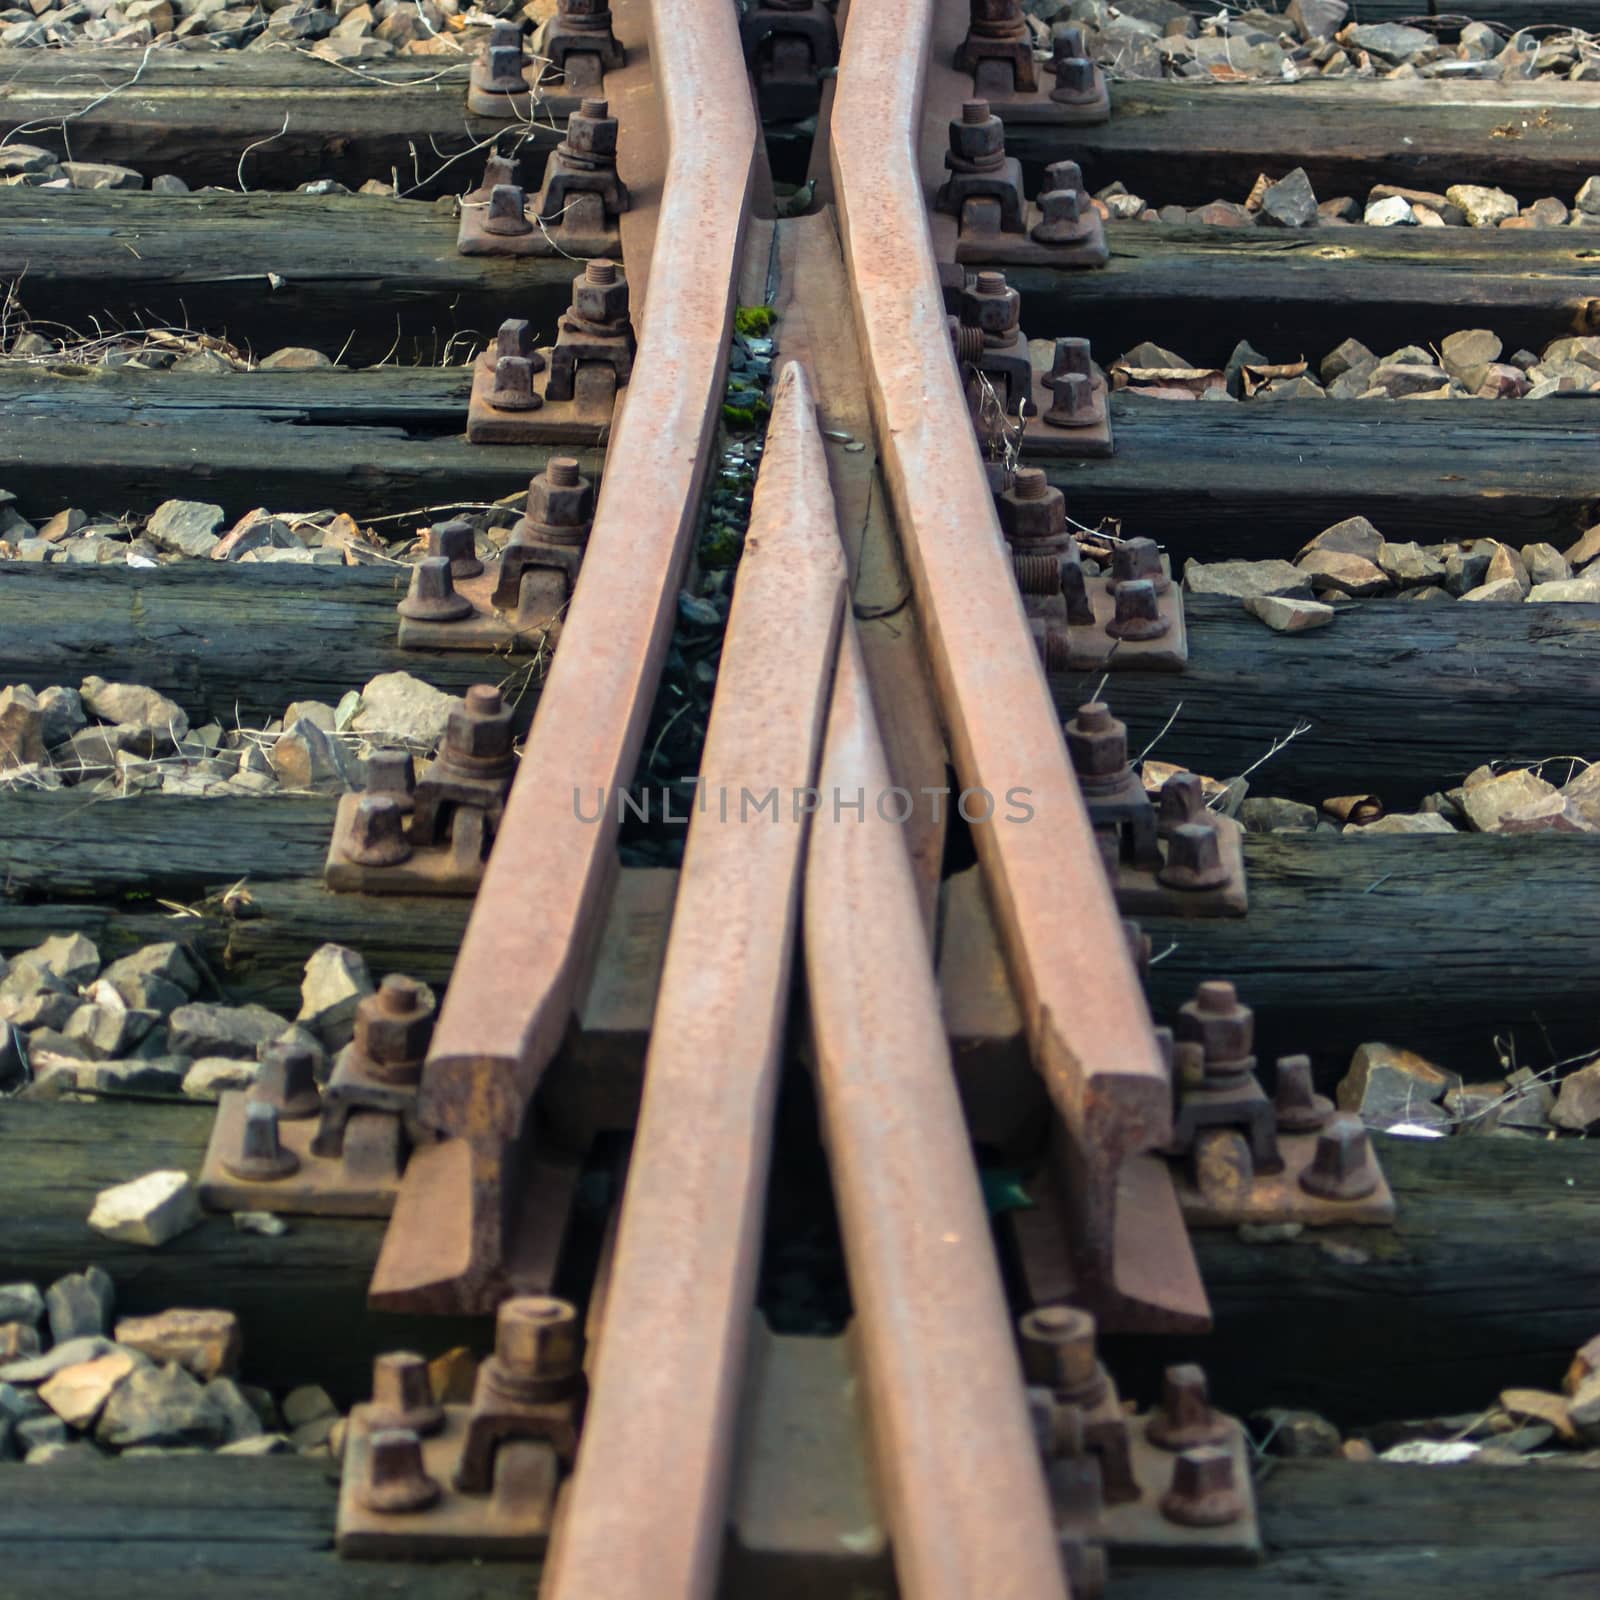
(1086, 1017)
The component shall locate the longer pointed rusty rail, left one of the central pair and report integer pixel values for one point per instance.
(647, 1508)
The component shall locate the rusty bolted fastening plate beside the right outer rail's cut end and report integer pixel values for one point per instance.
(1246, 1158)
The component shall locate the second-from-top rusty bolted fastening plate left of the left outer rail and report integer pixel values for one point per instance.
(575, 210)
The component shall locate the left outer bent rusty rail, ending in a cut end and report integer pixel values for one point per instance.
(545, 892)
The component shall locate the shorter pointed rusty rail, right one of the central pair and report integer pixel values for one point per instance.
(958, 1462)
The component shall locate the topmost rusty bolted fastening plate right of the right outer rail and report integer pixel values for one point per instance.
(999, 55)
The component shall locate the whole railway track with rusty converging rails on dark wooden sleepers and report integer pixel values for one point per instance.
(628, 1086)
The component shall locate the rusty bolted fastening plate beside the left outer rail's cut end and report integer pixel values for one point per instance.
(294, 1148)
